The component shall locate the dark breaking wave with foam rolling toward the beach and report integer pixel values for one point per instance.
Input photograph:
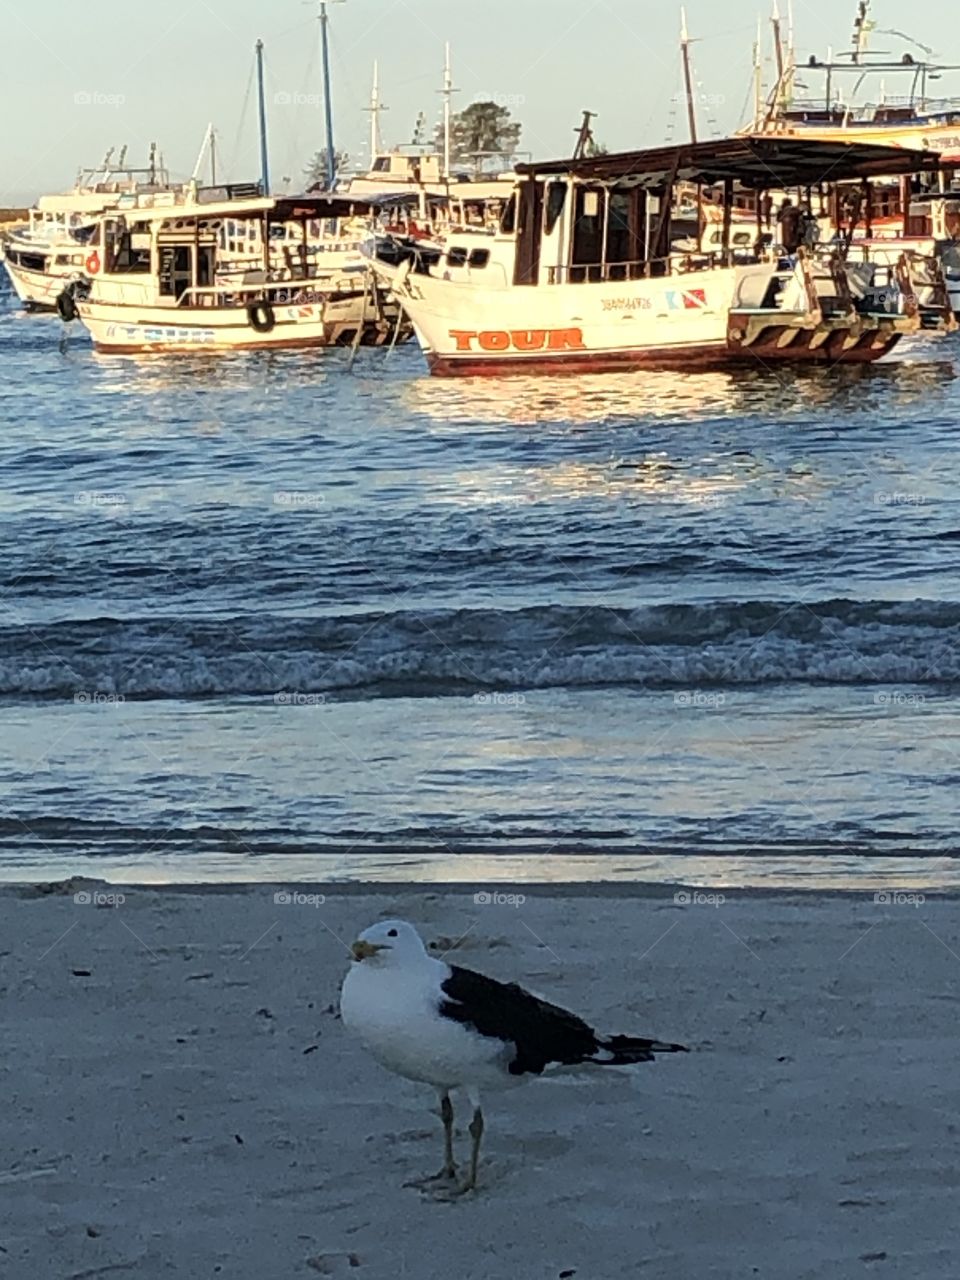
(436, 652)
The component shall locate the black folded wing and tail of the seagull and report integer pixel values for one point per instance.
(540, 1032)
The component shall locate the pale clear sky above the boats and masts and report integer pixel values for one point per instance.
(80, 79)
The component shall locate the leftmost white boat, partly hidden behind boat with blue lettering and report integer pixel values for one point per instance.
(42, 254)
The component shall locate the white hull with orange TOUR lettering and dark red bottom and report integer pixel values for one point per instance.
(700, 321)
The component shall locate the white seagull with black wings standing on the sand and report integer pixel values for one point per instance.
(452, 1028)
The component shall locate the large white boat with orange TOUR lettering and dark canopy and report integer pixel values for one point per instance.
(583, 273)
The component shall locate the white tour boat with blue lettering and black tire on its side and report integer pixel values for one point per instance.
(225, 271)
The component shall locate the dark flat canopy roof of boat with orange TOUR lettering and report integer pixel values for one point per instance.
(755, 162)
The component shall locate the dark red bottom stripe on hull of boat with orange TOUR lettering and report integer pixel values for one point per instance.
(714, 356)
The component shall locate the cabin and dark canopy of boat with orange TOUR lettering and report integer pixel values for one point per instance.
(620, 217)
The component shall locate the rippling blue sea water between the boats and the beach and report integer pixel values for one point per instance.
(276, 616)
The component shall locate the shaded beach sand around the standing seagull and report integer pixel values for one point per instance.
(181, 1099)
